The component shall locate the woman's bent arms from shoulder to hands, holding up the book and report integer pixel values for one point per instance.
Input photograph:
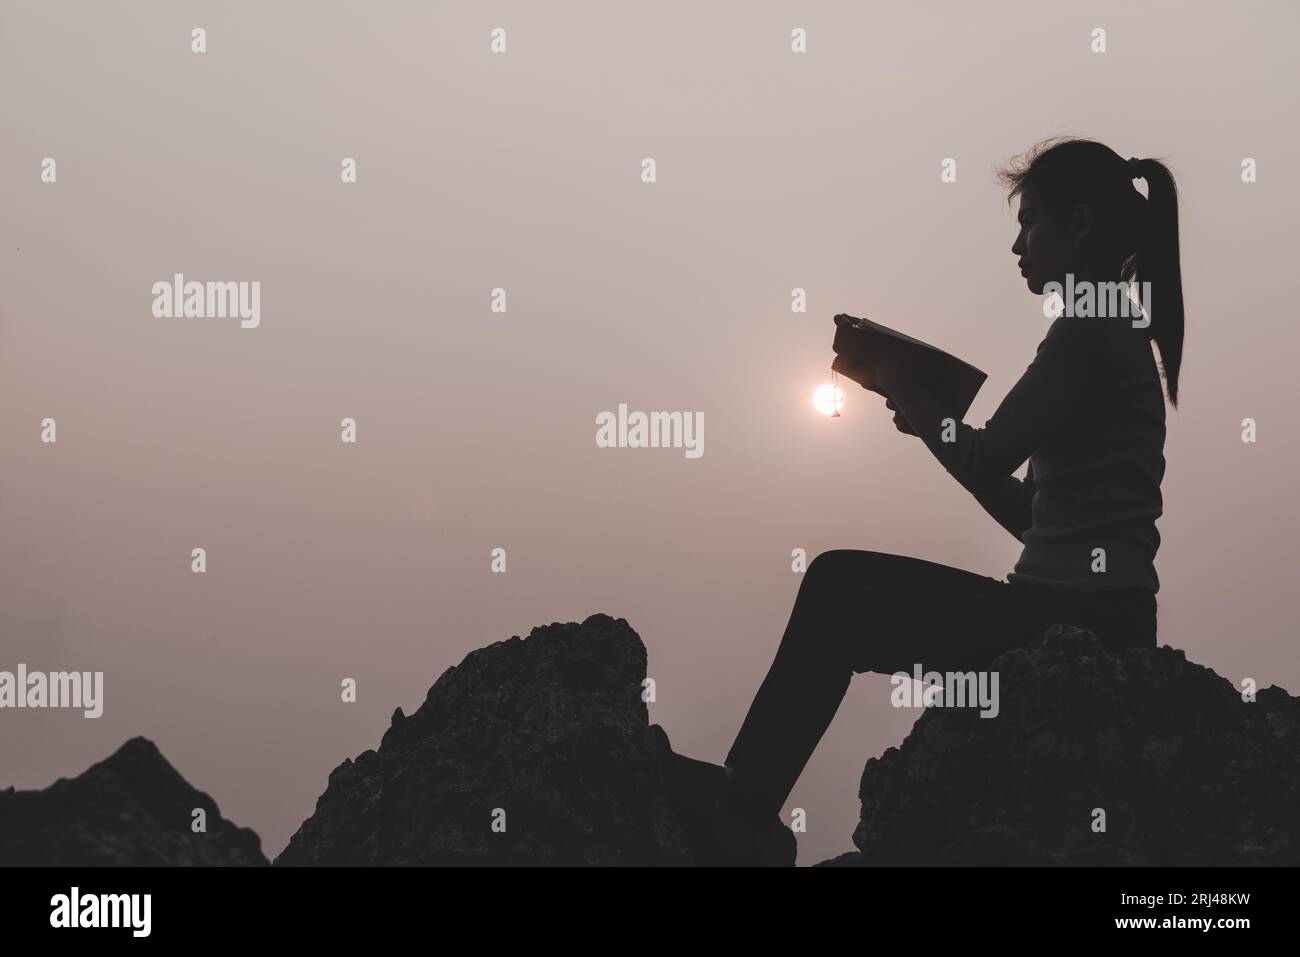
(1052, 389)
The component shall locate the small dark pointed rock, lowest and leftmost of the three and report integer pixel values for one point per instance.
(133, 809)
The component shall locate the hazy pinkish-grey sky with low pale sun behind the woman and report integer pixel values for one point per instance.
(476, 430)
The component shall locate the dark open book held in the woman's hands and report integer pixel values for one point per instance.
(863, 347)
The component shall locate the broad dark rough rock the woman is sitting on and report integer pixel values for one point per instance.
(1186, 772)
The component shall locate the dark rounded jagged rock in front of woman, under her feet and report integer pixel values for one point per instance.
(547, 734)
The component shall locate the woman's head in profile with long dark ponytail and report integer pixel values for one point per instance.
(1082, 215)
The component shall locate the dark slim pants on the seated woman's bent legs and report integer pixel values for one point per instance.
(863, 612)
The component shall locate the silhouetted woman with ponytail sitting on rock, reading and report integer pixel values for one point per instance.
(1089, 415)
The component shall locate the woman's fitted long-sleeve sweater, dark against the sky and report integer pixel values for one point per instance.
(1089, 414)
